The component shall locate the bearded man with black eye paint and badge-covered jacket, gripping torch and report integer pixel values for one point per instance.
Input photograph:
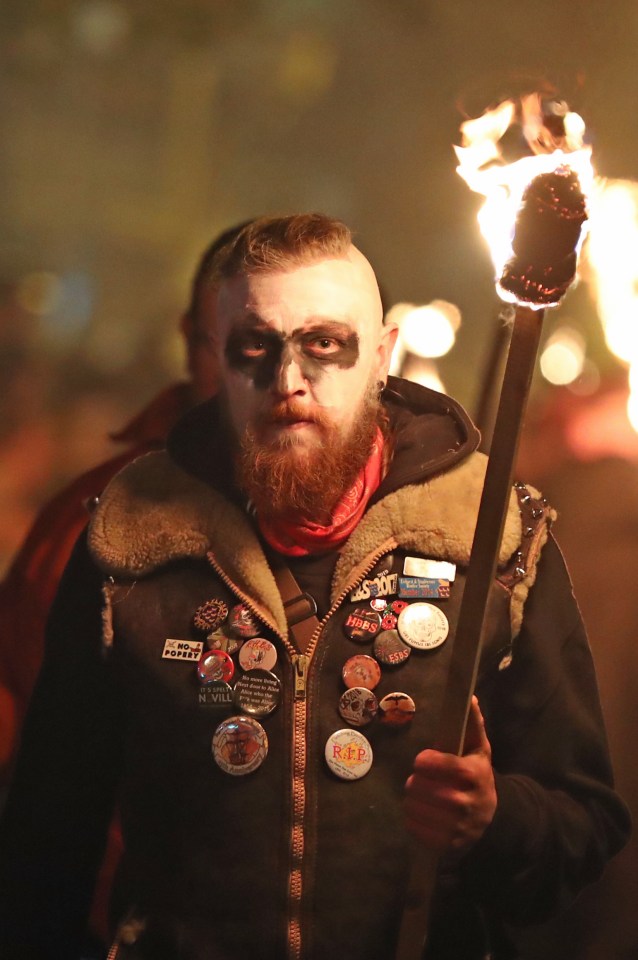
(249, 651)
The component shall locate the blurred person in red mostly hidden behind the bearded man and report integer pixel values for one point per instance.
(28, 589)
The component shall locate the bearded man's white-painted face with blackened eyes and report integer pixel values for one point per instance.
(300, 348)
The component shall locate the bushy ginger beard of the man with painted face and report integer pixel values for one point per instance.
(288, 481)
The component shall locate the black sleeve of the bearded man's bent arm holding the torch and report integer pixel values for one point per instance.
(558, 819)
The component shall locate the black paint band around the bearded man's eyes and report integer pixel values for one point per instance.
(263, 354)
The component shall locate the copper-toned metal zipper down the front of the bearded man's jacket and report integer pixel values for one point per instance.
(301, 667)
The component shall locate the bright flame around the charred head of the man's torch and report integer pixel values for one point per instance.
(554, 145)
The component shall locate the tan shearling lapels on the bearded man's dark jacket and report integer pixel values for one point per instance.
(154, 512)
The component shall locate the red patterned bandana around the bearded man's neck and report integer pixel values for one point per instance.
(298, 540)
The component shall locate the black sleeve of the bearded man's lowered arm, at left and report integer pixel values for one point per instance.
(56, 818)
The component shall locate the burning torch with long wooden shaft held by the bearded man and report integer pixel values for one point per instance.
(533, 219)
